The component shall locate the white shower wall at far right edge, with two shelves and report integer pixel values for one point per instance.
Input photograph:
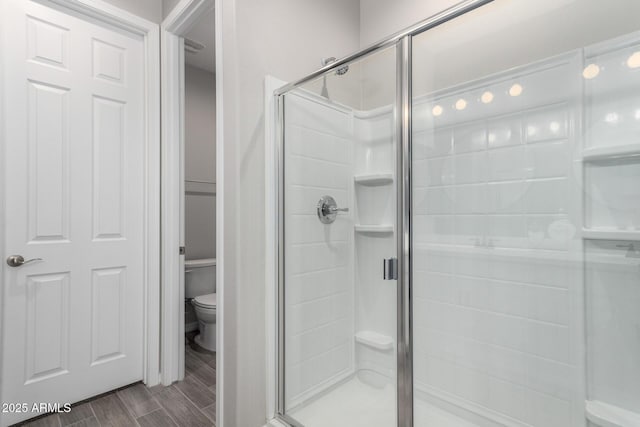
(612, 202)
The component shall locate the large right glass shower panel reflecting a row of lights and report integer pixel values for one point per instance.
(526, 136)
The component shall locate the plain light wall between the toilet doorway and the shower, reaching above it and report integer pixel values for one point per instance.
(285, 38)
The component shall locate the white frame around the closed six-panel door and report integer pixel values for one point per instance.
(149, 32)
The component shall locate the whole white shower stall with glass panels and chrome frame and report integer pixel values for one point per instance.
(459, 224)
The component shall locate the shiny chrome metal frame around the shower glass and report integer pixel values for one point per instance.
(403, 107)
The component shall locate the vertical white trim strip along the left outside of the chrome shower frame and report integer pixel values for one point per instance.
(271, 220)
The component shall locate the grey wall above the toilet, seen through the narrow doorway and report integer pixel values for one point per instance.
(200, 163)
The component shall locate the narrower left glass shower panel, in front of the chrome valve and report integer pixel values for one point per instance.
(340, 314)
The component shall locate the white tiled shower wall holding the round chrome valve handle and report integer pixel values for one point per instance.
(318, 257)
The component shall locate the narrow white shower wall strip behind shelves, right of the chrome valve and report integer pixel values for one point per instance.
(375, 305)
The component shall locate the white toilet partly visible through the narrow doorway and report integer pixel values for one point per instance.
(200, 288)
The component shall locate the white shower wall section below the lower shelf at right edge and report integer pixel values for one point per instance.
(613, 322)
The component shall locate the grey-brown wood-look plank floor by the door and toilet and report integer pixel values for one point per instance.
(191, 402)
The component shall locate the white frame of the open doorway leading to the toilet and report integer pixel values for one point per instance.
(173, 28)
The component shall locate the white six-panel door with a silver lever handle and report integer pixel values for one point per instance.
(74, 177)
